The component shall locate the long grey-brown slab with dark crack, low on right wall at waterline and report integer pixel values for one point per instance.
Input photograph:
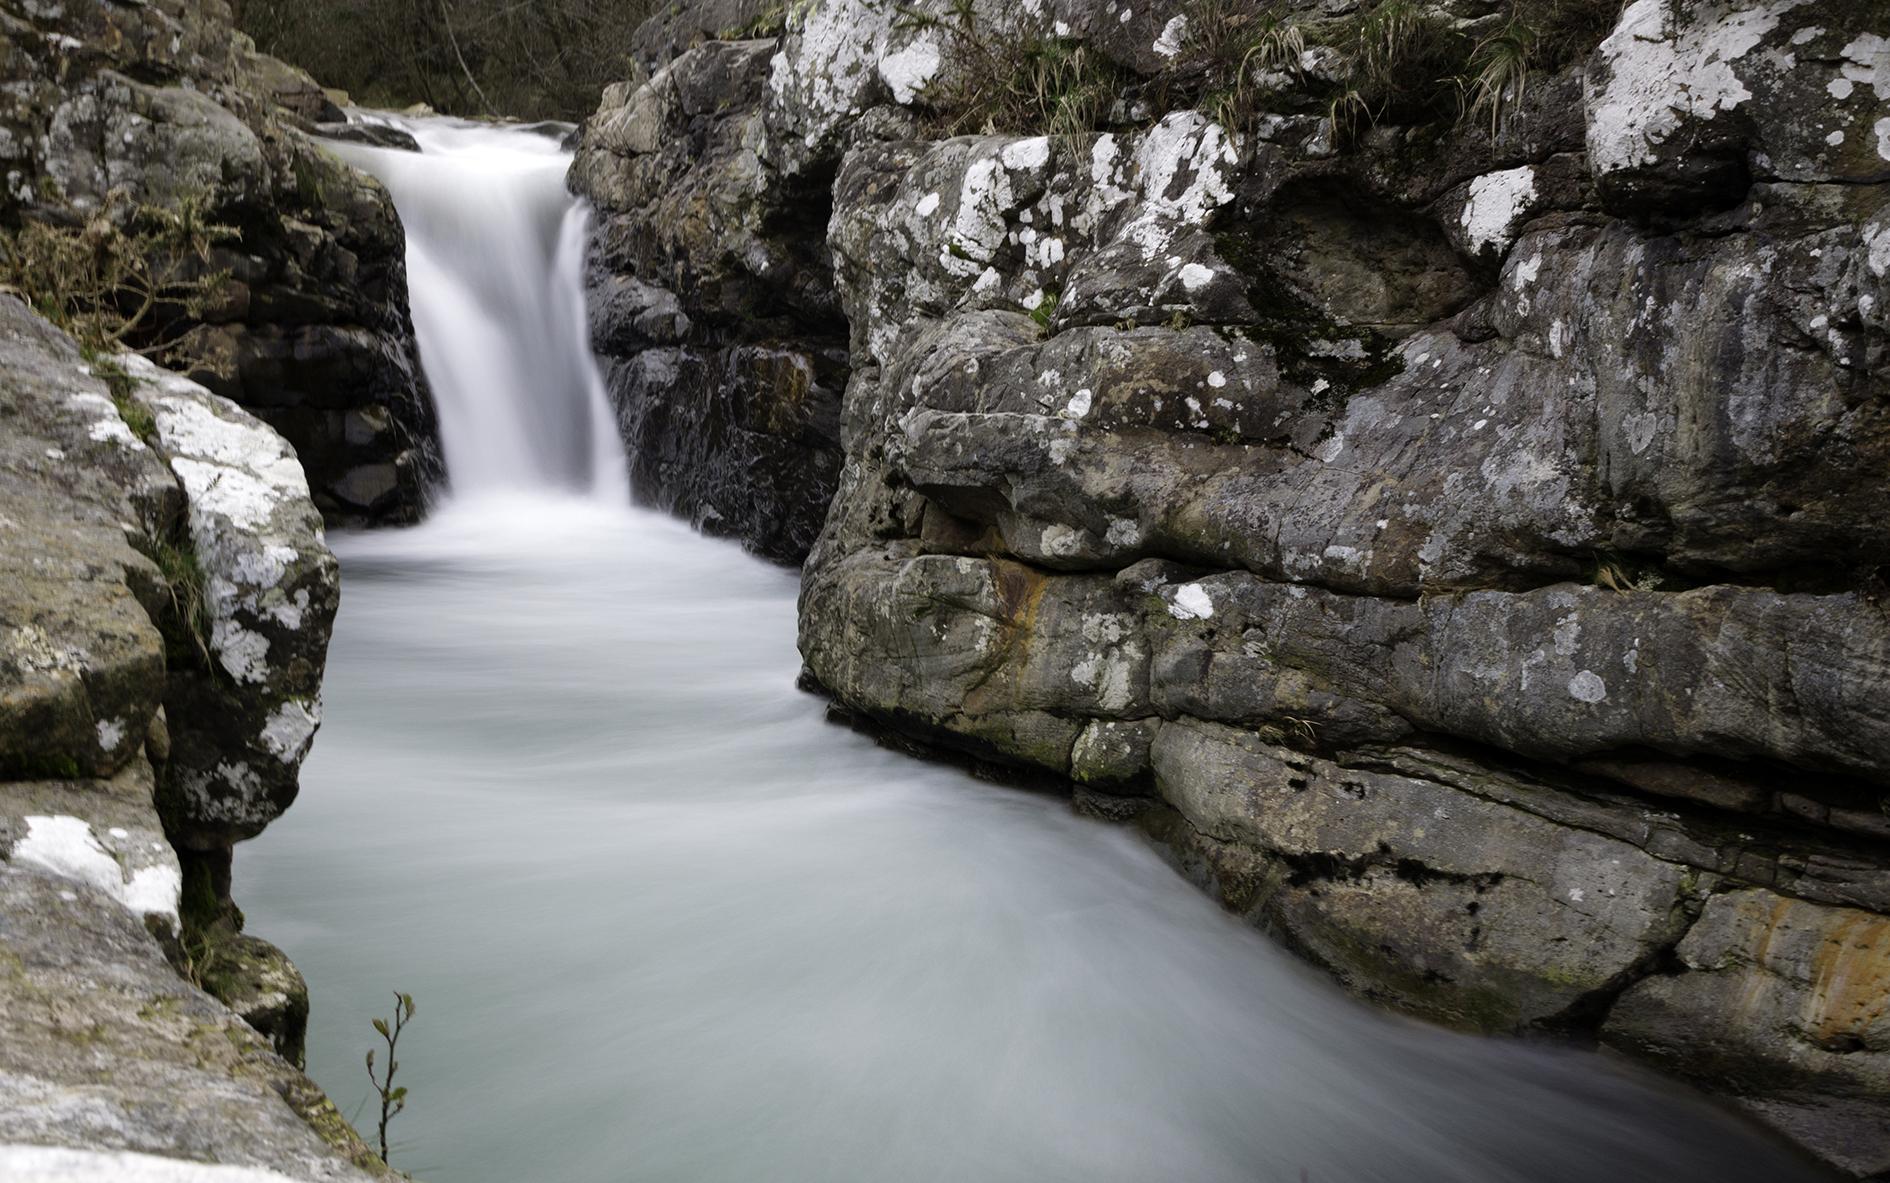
(1417, 895)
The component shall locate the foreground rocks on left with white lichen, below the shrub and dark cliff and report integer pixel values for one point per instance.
(165, 606)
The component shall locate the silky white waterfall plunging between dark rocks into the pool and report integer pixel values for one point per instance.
(496, 279)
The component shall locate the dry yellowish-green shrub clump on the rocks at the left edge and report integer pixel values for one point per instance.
(128, 279)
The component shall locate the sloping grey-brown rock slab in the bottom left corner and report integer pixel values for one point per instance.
(105, 1050)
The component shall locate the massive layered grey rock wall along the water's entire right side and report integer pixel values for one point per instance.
(1462, 547)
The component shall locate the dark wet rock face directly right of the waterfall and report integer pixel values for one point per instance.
(713, 303)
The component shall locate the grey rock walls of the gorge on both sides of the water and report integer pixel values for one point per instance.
(1443, 515)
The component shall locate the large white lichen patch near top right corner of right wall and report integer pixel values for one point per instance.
(1664, 71)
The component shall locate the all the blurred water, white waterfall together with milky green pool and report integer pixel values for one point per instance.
(666, 925)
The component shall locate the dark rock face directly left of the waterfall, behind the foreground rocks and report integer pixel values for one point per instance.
(114, 107)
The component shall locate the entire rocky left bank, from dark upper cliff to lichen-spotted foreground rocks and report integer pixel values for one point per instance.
(165, 587)
